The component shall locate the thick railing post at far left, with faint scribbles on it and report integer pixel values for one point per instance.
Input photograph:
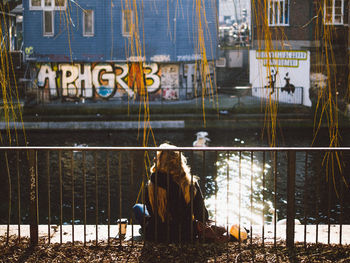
(34, 236)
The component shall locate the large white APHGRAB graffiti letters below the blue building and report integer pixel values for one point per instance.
(100, 80)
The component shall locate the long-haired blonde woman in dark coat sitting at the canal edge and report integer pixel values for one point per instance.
(180, 205)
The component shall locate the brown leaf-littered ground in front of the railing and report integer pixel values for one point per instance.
(151, 252)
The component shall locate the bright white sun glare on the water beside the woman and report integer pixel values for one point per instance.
(240, 192)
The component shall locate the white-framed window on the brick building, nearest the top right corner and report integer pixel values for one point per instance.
(334, 12)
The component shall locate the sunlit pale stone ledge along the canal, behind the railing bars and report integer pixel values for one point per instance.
(133, 231)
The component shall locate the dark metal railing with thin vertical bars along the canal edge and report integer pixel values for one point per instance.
(81, 187)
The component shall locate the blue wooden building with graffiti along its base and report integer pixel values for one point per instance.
(93, 48)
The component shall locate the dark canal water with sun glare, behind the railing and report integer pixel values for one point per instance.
(232, 194)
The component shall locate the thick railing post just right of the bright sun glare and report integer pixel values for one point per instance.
(291, 198)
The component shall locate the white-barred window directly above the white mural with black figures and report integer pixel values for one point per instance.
(278, 12)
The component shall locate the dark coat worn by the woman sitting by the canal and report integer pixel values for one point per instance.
(177, 226)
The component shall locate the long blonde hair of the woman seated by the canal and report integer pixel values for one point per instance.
(173, 163)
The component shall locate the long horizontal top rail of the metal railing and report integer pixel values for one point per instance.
(243, 149)
